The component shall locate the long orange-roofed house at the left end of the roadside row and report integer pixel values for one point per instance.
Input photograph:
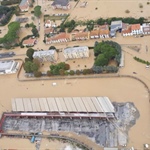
(61, 37)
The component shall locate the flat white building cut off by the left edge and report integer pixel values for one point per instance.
(8, 66)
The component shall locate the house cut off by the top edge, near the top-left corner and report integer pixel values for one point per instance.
(24, 5)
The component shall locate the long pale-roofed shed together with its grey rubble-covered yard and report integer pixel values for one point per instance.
(104, 122)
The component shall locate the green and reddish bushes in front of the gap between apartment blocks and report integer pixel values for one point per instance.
(59, 69)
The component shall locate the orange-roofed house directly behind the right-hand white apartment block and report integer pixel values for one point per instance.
(80, 36)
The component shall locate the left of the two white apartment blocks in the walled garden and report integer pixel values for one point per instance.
(48, 55)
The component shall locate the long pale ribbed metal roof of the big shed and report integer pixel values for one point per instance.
(64, 104)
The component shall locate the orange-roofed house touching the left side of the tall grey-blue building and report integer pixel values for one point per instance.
(104, 31)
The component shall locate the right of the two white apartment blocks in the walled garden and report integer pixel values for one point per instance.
(76, 52)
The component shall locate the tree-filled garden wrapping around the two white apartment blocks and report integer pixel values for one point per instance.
(107, 59)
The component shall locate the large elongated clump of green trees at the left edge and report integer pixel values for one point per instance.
(9, 39)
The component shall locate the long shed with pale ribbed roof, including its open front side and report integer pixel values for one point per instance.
(65, 106)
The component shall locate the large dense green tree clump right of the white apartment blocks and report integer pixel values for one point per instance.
(106, 51)
